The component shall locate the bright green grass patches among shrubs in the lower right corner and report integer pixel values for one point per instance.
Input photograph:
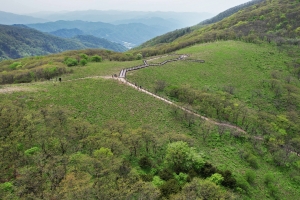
(225, 154)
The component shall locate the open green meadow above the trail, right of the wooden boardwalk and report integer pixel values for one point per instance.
(242, 66)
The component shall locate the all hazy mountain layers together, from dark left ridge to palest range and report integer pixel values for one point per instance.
(86, 29)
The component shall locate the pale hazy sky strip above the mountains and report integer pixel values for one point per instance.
(31, 6)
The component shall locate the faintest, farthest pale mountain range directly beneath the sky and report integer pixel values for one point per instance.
(181, 19)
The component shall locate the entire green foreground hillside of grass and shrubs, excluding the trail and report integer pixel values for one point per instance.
(76, 135)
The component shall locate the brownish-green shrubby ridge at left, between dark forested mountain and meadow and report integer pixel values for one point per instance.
(41, 68)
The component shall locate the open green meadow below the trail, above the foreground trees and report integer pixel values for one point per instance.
(99, 100)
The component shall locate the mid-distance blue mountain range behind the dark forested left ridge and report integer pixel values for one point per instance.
(134, 33)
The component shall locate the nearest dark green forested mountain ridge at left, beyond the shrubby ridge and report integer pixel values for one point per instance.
(16, 42)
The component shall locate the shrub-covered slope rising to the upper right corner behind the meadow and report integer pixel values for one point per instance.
(275, 21)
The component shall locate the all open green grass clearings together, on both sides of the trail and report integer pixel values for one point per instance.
(98, 100)
